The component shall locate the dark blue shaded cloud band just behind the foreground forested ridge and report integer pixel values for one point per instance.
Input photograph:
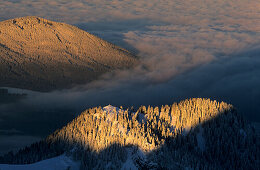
(233, 79)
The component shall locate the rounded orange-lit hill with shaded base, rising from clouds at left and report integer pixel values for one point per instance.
(43, 55)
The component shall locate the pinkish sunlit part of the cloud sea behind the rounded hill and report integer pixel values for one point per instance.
(170, 36)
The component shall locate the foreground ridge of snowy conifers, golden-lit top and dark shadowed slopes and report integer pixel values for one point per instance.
(195, 133)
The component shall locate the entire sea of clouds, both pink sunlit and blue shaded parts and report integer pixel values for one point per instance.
(191, 48)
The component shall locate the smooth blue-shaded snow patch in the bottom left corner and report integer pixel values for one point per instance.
(58, 163)
